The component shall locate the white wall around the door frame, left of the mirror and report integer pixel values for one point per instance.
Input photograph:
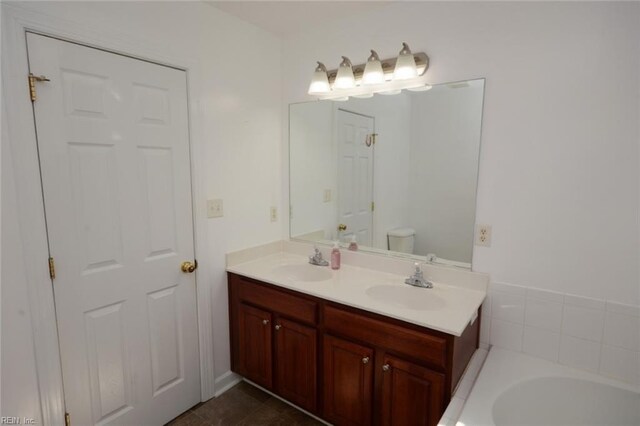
(242, 132)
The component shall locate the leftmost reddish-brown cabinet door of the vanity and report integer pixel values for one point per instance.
(254, 345)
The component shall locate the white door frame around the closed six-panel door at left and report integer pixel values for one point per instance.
(19, 119)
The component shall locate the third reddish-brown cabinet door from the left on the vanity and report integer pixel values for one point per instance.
(348, 382)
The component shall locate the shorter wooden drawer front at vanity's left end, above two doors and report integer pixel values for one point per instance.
(277, 301)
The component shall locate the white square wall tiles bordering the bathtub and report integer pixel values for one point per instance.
(561, 344)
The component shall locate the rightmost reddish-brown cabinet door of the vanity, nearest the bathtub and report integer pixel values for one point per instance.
(412, 395)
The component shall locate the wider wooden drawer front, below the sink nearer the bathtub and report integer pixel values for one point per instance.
(400, 339)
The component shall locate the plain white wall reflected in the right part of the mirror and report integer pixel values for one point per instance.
(445, 145)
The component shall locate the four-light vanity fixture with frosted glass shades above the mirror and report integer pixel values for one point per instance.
(388, 76)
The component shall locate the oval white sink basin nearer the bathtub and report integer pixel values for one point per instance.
(408, 297)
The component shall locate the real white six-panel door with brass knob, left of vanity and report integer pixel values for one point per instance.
(114, 152)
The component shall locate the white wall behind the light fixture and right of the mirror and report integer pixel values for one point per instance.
(559, 160)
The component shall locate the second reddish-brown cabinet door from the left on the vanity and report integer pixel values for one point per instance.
(296, 363)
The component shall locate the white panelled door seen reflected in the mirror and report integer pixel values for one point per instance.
(355, 177)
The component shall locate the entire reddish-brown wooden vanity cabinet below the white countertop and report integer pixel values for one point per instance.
(348, 366)
